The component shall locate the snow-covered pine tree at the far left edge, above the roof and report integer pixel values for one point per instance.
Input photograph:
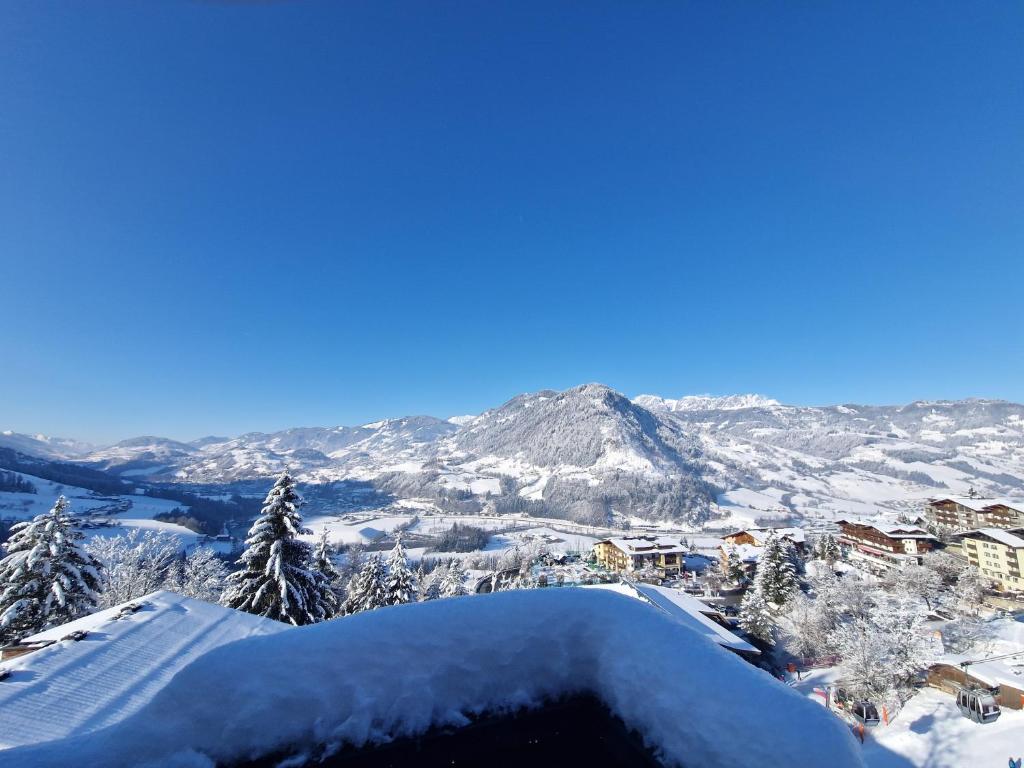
(47, 578)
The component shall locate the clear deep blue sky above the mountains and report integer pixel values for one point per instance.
(227, 217)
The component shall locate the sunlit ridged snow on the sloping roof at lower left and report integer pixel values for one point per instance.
(73, 688)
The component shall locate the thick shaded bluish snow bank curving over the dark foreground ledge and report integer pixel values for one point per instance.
(398, 671)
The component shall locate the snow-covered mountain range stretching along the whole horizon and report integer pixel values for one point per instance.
(590, 452)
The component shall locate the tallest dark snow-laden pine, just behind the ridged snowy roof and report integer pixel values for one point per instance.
(278, 579)
